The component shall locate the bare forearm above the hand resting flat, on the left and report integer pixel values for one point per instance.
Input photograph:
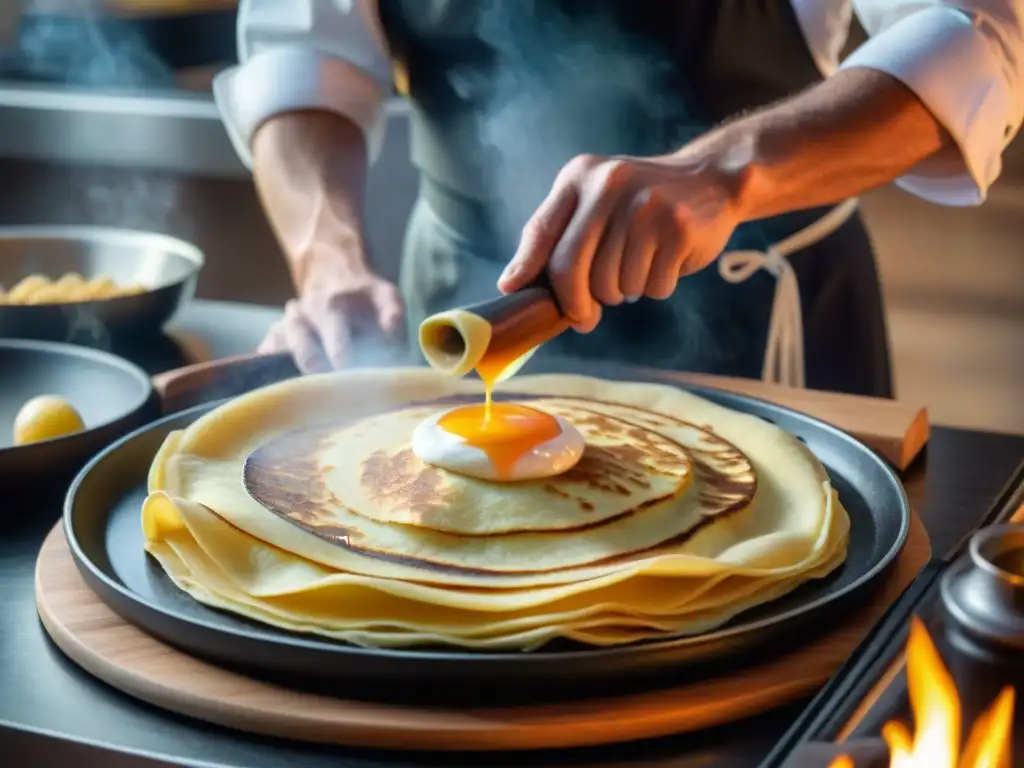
(311, 172)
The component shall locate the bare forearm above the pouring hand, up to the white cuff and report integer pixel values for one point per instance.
(856, 132)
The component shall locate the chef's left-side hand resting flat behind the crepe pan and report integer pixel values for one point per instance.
(340, 312)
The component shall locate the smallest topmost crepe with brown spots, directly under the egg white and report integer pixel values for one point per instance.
(370, 470)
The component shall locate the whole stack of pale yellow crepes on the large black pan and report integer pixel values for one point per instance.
(302, 506)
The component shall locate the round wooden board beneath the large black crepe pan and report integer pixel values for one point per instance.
(135, 663)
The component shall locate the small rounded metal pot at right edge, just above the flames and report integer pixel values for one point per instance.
(984, 591)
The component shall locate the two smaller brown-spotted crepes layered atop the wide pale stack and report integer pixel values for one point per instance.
(316, 486)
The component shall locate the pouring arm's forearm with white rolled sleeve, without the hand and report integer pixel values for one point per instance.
(931, 101)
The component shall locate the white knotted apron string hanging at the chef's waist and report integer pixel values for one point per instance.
(785, 351)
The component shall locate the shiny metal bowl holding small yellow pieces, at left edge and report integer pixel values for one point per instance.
(167, 267)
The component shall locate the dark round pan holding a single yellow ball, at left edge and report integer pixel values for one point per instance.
(113, 396)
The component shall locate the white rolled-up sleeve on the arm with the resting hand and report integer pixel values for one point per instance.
(306, 55)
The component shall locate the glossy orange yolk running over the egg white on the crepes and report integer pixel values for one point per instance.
(505, 435)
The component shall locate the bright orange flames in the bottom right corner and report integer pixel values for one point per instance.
(936, 707)
